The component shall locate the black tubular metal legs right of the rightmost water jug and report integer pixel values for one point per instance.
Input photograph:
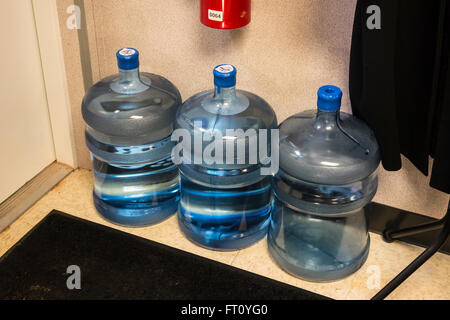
(392, 235)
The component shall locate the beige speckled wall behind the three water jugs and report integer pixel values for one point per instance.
(284, 55)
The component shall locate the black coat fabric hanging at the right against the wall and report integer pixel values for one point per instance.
(400, 82)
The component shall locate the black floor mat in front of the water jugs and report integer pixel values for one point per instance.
(117, 265)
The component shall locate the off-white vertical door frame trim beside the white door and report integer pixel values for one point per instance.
(55, 79)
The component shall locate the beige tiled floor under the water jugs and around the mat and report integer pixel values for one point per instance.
(432, 281)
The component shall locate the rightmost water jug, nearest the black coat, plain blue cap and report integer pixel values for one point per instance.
(328, 164)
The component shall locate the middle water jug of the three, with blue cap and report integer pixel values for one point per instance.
(226, 199)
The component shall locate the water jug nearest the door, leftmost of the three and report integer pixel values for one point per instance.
(129, 120)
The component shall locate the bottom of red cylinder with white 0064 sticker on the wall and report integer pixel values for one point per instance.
(225, 14)
